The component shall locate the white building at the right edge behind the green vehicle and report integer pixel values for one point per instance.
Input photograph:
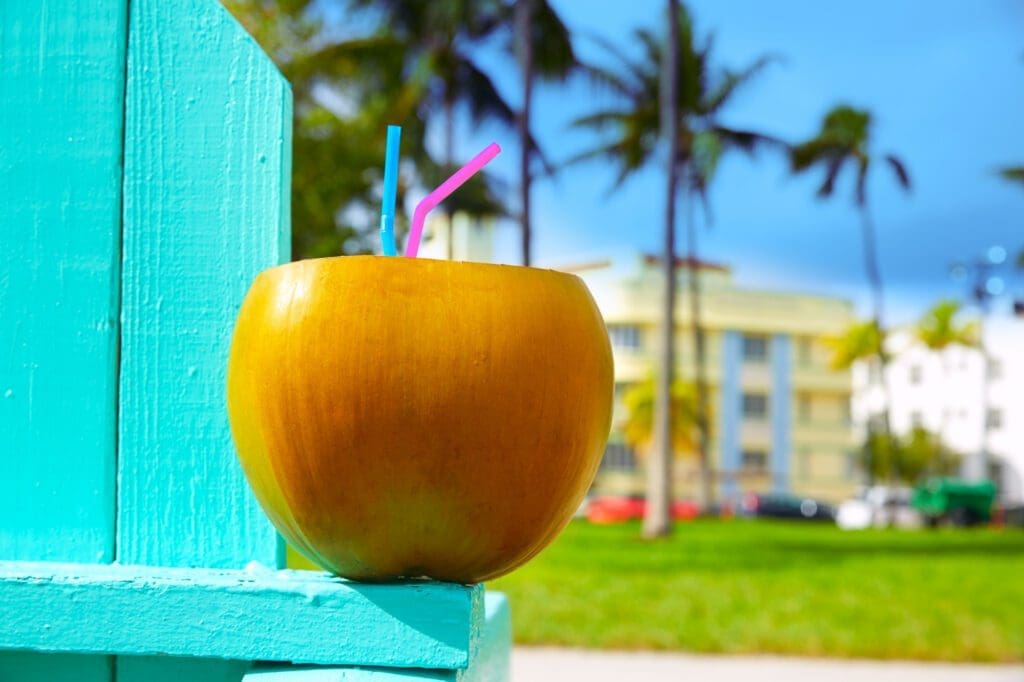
(974, 410)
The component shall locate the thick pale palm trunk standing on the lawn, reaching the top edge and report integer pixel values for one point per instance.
(658, 521)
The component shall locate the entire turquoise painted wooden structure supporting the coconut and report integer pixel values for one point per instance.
(142, 190)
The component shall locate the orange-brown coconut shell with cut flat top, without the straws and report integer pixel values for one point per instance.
(403, 417)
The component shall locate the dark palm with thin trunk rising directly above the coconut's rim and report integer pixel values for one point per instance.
(544, 50)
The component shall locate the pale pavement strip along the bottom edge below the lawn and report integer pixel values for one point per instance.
(541, 665)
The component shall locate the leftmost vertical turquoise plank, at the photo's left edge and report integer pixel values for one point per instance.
(62, 84)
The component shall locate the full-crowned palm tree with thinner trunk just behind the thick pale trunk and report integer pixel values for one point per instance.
(630, 133)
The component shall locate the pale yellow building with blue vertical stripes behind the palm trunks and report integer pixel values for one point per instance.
(781, 416)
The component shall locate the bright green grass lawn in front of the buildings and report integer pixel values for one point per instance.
(744, 587)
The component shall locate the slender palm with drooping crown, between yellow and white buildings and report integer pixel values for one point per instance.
(845, 141)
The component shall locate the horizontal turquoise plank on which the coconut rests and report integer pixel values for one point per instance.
(253, 615)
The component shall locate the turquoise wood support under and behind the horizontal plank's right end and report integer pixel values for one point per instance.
(489, 660)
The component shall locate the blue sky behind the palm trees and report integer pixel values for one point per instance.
(946, 82)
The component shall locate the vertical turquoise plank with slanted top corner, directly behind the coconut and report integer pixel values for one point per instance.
(207, 177)
